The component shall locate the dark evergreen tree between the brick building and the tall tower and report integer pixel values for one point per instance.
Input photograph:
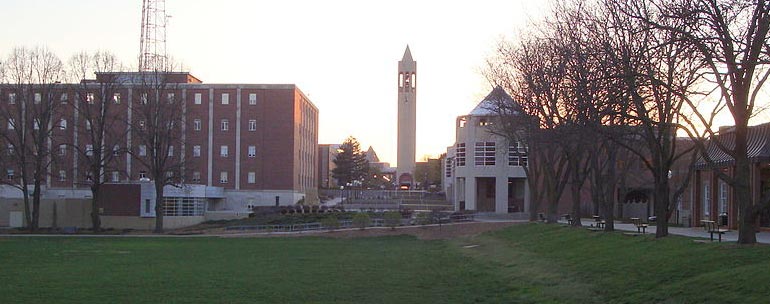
(351, 163)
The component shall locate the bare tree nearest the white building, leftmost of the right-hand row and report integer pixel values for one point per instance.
(534, 74)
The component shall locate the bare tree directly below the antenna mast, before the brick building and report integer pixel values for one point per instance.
(157, 128)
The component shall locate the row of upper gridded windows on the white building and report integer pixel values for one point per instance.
(484, 154)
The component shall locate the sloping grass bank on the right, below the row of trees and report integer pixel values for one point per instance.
(559, 264)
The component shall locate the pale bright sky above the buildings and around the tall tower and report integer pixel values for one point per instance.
(342, 54)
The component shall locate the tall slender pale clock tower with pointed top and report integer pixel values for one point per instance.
(407, 110)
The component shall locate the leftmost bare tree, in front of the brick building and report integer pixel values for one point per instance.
(29, 106)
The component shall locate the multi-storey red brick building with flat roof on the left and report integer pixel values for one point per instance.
(257, 142)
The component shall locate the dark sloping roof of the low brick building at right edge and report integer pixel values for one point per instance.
(758, 146)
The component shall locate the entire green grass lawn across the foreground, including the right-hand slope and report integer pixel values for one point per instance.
(533, 263)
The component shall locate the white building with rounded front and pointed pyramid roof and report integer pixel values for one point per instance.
(484, 171)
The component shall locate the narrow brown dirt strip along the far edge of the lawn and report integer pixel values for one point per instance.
(432, 232)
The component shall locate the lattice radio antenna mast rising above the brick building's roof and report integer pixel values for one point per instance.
(152, 43)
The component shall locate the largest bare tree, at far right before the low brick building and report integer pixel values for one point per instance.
(730, 38)
